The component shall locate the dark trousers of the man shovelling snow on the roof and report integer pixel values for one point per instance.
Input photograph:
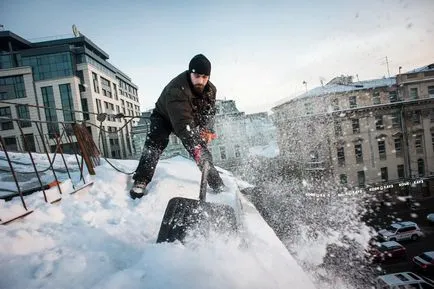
(156, 141)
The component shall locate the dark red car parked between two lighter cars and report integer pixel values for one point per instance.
(386, 251)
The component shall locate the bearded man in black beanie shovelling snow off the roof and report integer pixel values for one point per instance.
(186, 107)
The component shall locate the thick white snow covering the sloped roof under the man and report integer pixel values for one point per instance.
(100, 238)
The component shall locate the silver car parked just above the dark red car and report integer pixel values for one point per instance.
(401, 231)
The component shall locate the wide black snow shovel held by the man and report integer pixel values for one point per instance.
(185, 215)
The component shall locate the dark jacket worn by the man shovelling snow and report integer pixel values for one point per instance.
(186, 111)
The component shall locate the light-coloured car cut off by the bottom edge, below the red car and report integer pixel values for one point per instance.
(402, 280)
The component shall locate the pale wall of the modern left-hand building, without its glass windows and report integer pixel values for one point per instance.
(113, 144)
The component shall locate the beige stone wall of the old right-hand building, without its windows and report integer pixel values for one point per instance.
(295, 138)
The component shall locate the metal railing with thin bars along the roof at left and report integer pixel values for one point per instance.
(51, 166)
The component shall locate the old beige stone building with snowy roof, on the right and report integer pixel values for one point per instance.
(373, 134)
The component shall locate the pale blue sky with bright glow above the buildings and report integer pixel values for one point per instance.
(261, 51)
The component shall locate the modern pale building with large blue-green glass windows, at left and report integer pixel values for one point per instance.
(72, 75)
